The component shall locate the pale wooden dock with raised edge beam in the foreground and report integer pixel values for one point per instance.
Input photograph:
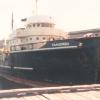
(77, 92)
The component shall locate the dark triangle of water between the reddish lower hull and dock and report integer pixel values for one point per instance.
(6, 84)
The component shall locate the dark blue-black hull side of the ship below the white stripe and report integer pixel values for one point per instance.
(79, 65)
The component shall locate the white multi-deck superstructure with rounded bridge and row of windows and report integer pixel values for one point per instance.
(38, 30)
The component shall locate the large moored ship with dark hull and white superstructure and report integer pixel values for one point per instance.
(40, 51)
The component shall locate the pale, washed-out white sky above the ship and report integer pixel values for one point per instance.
(70, 15)
